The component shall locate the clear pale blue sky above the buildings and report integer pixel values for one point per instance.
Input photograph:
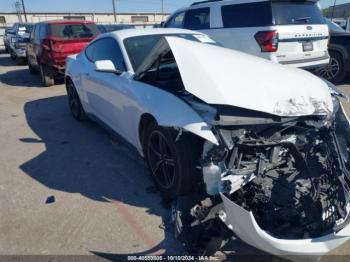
(106, 5)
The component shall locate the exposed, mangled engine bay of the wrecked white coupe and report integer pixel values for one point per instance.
(293, 176)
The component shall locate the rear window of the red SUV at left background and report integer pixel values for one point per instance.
(74, 30)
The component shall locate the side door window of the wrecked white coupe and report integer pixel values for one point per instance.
(108, 49)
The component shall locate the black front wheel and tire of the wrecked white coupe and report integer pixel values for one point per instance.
(172, 163)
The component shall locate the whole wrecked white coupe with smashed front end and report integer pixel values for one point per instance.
(271, 141)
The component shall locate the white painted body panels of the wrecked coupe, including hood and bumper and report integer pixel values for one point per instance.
(120, 101)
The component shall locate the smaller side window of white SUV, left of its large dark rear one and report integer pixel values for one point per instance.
(197, 19)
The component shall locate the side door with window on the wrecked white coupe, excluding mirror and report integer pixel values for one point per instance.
(107, 92)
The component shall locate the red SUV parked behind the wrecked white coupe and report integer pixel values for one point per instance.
(52, 41)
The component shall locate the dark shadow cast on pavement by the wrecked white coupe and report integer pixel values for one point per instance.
(81, 157)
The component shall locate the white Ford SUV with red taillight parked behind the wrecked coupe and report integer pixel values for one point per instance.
(287, 32)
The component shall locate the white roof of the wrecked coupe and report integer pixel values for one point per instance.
(127, 33)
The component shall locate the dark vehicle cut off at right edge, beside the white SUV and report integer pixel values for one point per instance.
(339, 49)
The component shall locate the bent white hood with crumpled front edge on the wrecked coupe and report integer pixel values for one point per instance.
(222, 76)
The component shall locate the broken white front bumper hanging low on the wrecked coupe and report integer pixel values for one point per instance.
(244, 225)
